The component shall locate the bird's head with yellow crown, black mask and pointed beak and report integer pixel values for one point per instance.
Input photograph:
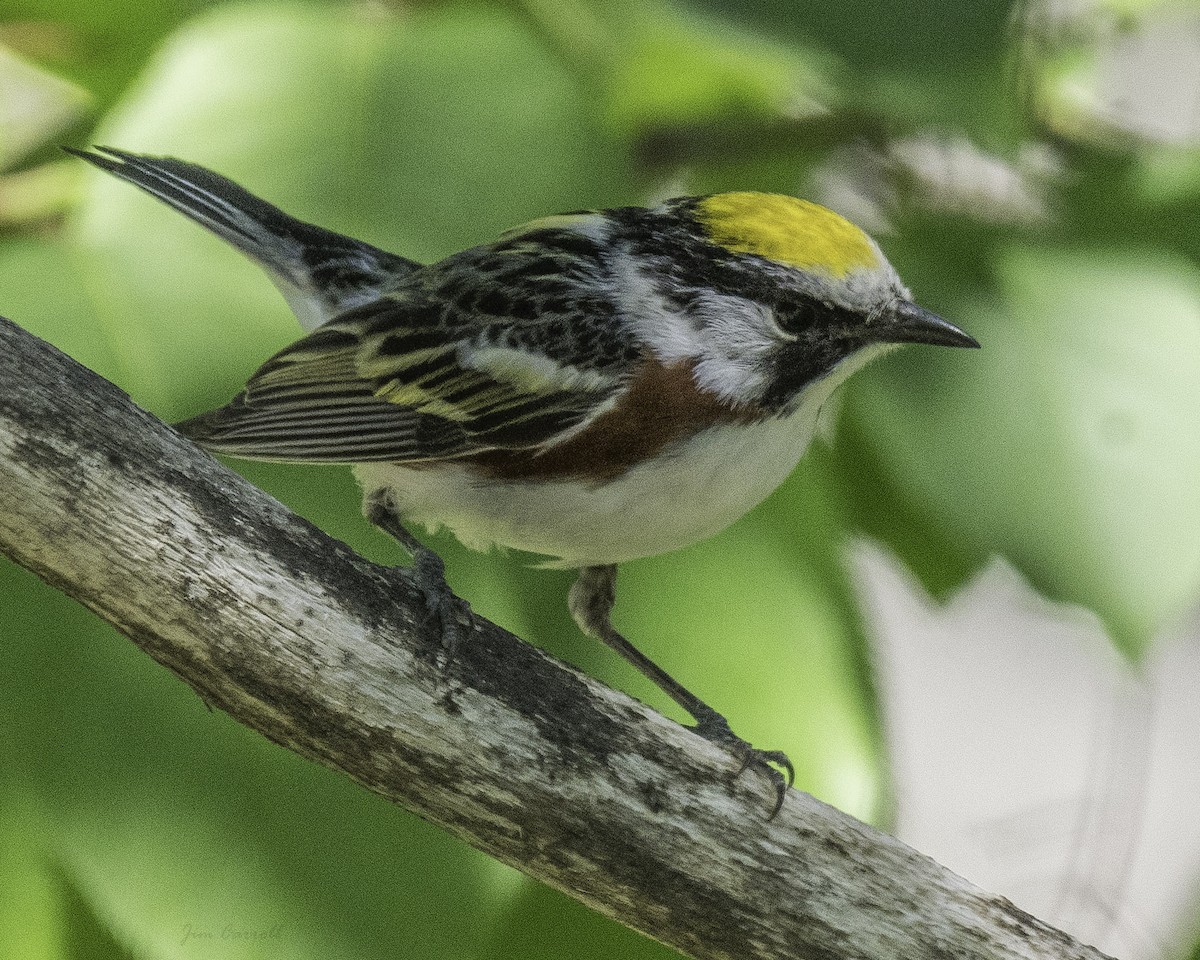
(770, 295)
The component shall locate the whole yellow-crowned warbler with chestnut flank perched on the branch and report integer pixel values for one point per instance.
(593, 387)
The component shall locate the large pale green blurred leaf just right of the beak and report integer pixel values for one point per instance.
(1084, 476)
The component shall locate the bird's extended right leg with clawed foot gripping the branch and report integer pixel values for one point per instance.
(591, 601)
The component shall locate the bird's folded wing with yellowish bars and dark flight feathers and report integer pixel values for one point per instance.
(398, 381)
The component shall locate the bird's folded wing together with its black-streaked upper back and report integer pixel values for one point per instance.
(442, 369)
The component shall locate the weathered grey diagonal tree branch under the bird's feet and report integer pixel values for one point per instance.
(328, 655)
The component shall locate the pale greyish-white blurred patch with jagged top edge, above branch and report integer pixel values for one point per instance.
(1058, 775)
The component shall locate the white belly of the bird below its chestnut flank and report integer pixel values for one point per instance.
(691, 491)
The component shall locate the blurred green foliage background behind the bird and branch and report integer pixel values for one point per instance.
(1034, 173)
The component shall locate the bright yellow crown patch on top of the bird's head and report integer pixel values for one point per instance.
(789, 231)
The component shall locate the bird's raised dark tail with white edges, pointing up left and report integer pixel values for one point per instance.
(320, 273)
